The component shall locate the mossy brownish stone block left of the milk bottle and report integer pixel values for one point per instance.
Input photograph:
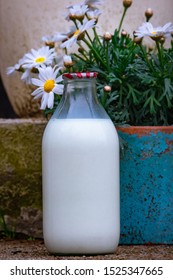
(20, 176)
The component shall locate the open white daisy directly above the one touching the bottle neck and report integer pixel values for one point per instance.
(39, 58)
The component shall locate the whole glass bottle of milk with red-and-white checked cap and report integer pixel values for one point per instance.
(80, 155)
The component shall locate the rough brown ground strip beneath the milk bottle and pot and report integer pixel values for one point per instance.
(35, 249)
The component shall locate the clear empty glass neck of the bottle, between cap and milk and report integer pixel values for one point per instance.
(80, 100)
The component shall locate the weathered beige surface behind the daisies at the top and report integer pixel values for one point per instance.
(24, 22)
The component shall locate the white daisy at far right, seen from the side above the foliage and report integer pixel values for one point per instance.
(146, 29)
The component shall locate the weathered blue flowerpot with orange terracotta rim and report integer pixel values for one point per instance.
(147, 185)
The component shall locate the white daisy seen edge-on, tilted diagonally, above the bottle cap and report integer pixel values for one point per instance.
(82, 28)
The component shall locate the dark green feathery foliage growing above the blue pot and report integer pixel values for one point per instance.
(141, 80)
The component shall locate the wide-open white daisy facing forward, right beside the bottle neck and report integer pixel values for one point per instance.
(47, 86)
